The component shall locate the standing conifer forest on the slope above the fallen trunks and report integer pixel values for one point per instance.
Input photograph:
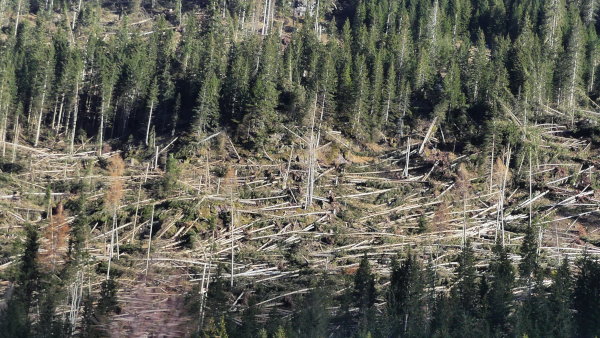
(370, 68)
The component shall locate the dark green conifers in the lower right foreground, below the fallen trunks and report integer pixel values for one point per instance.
(551, 302)
